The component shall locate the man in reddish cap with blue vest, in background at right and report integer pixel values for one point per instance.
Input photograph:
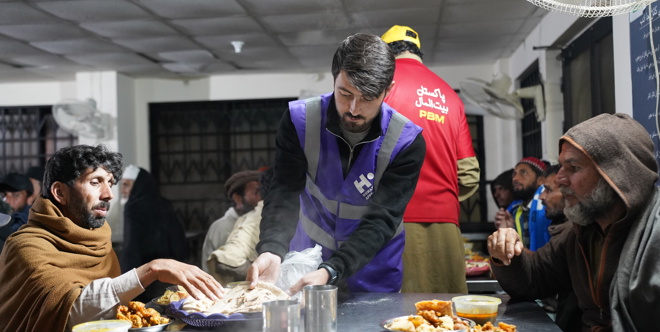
(527, 214)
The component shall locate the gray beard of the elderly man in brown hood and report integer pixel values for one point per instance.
(596, 204)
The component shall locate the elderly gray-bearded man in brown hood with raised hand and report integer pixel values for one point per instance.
(610, 255)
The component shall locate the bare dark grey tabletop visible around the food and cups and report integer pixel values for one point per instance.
(366, 311)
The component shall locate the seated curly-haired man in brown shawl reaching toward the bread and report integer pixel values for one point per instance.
(59, 269)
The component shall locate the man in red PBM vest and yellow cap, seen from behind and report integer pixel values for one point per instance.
(450, 172)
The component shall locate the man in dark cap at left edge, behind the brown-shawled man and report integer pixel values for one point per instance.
(17, 189)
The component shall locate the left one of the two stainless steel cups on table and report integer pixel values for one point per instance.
(281, 316)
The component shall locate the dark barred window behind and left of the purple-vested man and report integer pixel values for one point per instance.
(197, 146)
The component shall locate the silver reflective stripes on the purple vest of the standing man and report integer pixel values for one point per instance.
(312, 148)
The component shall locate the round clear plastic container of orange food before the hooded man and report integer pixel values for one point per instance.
(480, 309)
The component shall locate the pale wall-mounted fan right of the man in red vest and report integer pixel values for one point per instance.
(495, 98)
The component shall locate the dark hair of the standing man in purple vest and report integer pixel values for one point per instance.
(368, 63)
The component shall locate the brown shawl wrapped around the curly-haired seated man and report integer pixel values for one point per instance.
(45, 265)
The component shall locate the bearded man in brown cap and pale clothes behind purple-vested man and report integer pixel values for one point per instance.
(242, 188)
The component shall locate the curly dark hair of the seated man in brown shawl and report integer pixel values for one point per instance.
(67, 164)
